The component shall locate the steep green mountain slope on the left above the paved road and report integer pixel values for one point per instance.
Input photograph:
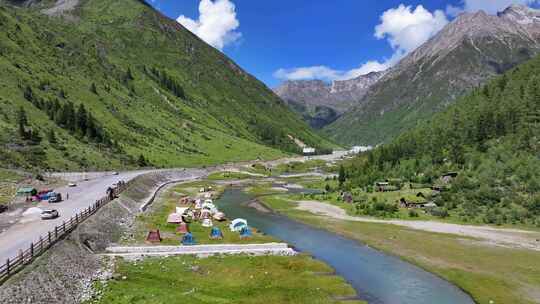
(108, 81)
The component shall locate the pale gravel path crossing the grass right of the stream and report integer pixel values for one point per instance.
(512, 238)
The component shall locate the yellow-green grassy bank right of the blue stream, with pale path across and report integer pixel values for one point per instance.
(502, 275)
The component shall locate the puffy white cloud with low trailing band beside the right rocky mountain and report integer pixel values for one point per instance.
(404, 28)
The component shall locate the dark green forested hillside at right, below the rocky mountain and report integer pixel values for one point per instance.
(491, 138)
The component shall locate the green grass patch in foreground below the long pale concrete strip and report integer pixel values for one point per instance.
(233, 279)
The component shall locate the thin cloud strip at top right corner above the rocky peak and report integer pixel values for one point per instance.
(489, 6)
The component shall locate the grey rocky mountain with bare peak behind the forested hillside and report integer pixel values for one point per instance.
(465, 54)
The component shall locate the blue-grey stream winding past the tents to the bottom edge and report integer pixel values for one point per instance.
(378, 278)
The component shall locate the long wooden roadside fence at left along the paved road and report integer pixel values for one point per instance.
(25, 257)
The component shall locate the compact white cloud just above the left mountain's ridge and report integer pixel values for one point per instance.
(217, 23)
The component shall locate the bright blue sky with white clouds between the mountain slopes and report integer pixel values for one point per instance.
(330, 40)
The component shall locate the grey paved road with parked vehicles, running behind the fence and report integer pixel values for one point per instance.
(30, 228)
